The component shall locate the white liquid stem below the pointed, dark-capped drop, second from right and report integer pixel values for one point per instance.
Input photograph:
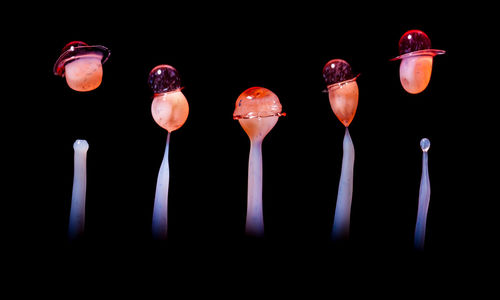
(344, 197)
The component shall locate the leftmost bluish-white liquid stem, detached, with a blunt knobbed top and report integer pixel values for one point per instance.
(77, 213)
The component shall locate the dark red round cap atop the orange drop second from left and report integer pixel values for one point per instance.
(163, 79)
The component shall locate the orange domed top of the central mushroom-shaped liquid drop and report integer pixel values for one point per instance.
(257, 102)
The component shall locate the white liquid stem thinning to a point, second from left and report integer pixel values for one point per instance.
(160, 211)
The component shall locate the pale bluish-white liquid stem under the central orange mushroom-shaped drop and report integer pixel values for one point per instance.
(255, 218)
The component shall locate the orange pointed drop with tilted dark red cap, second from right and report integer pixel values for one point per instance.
(343, 91)
